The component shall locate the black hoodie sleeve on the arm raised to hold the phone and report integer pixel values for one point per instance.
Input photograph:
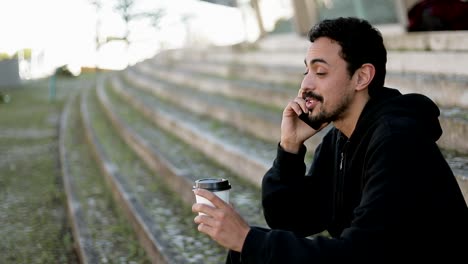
(295, 201)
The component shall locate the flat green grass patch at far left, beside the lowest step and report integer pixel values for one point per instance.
(34, 226)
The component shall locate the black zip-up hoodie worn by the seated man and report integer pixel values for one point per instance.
(385, 195)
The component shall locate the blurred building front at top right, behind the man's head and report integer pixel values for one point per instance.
(388, 15)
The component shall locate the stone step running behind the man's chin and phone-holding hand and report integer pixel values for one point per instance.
(250, 117)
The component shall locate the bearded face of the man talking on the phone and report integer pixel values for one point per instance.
(327, 86)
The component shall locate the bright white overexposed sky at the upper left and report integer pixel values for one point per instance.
(63, 31)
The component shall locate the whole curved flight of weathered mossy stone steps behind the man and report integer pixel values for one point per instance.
(194, 113)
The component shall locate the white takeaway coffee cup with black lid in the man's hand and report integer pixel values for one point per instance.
(220, 187)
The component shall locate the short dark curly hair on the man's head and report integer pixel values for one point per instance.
(360, 43)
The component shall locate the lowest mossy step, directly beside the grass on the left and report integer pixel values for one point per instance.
(93, 215)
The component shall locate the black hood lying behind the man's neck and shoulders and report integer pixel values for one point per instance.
(416, 113)
